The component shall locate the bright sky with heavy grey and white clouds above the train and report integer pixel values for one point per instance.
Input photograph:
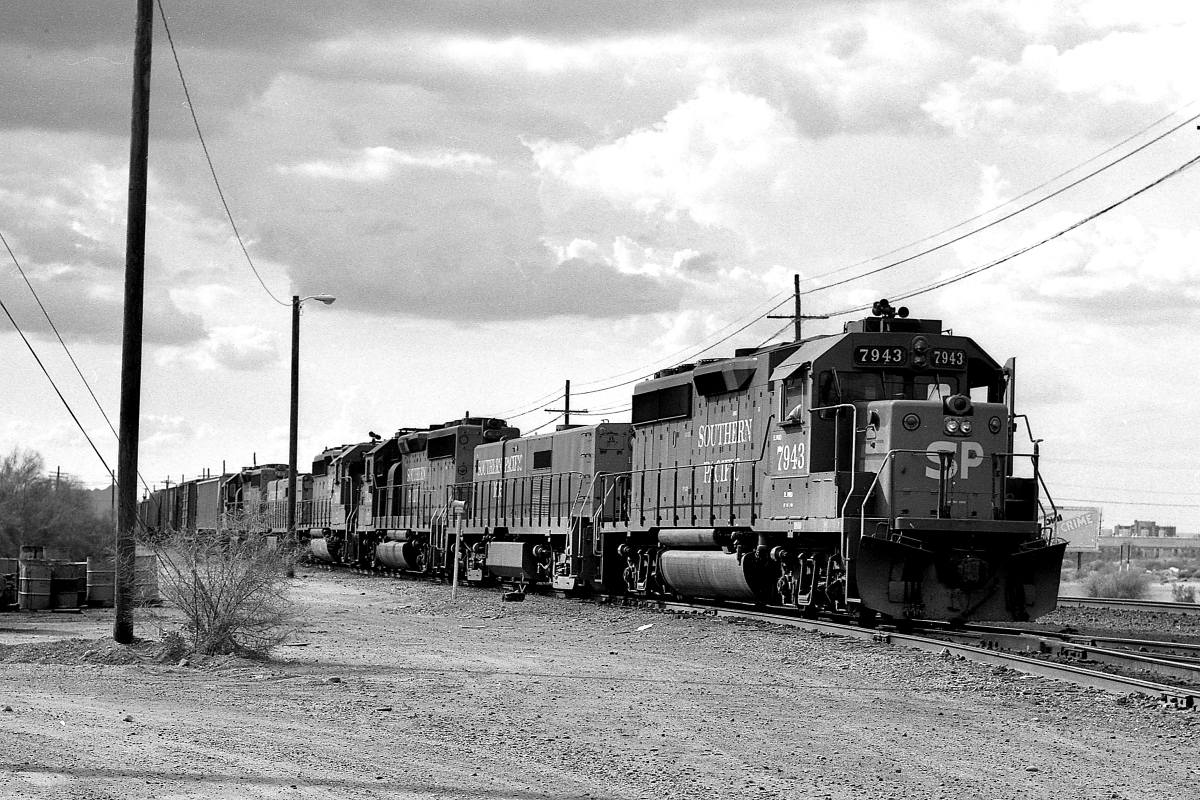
(505, 196)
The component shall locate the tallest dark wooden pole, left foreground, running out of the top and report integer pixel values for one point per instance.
(131, 339)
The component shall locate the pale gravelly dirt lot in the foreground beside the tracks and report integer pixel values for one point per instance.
(394, 691)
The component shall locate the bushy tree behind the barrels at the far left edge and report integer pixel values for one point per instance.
(40, 510)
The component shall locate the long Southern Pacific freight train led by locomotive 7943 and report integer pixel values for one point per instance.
(868, 473)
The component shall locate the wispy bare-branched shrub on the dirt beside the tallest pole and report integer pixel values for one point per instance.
(231, 587)
